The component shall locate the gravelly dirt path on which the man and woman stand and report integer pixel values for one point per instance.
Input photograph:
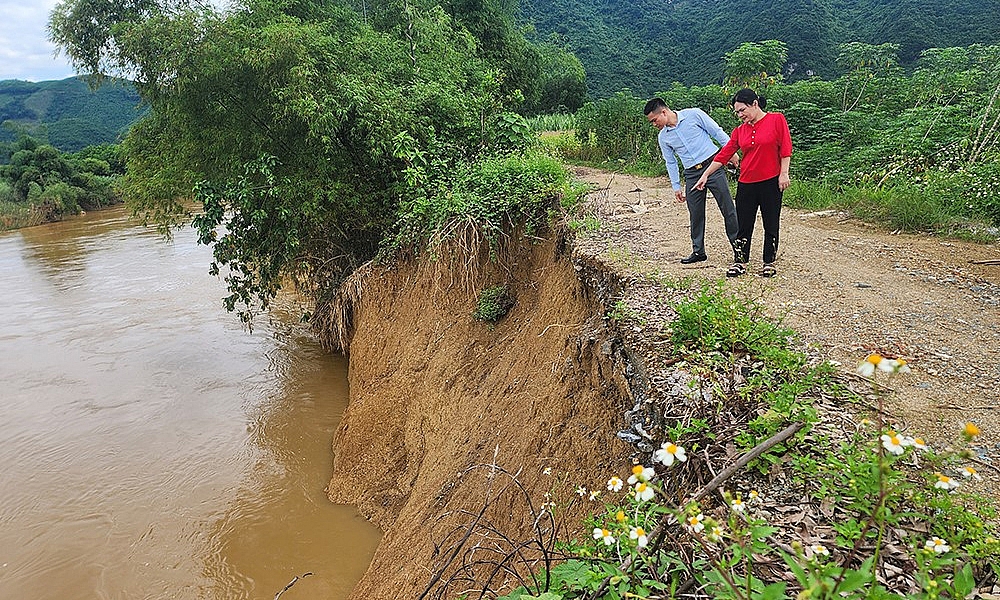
(849, 289)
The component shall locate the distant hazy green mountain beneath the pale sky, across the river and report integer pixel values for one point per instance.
(66, 113)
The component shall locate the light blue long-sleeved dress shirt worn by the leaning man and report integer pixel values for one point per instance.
(690, 140)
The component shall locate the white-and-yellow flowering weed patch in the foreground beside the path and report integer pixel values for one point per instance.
(900, 528)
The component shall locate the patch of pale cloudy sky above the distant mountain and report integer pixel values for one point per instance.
(25, 51)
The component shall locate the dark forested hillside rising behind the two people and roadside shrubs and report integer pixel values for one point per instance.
(645, 45)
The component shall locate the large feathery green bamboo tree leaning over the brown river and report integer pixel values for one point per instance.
(291, 121)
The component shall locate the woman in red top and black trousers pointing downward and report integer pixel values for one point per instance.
(766, 145)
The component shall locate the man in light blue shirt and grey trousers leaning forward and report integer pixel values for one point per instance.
(687, 134)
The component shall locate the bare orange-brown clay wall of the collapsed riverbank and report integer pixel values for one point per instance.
(435, 392)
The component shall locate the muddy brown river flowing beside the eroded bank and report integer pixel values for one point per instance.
(151, 447)
